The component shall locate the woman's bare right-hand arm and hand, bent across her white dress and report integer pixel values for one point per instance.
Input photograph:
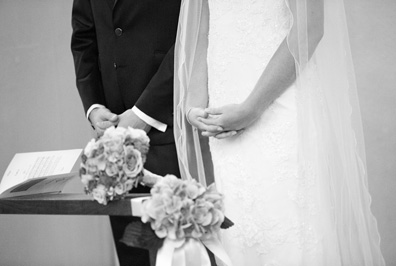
(279, 74)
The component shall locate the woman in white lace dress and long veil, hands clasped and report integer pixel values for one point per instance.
(278, 105)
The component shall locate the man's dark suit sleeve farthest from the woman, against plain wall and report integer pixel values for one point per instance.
(85, 54)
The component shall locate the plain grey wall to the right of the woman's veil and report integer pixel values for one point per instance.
(373, 42)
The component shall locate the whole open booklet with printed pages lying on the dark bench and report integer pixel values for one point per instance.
(40, 172)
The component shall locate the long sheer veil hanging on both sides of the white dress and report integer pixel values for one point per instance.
(331, 154)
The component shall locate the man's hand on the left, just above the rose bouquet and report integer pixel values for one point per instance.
(101, 118)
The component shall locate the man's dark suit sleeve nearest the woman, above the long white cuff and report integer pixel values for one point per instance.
(157, 99)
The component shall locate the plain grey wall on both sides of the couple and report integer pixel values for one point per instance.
(40, 110)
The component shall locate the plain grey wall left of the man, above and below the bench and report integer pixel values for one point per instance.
(40, 110)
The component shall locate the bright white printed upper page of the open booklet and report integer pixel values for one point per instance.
(25, 166)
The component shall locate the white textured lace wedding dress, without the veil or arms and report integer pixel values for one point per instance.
(257, 170)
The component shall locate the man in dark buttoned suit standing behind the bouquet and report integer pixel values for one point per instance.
(123, 56)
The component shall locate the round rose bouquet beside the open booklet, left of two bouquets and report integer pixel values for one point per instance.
(113, 164)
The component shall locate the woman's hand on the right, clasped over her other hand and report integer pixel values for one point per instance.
(231, 118)
